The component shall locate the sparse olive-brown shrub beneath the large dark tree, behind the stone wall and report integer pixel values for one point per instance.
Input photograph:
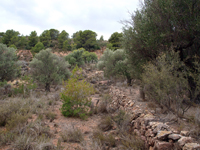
(166, 84)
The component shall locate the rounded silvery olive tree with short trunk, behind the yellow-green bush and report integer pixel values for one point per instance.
(48, 68)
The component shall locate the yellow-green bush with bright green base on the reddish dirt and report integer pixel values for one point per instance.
(75, 96)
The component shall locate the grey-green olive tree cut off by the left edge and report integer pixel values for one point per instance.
(8, 63)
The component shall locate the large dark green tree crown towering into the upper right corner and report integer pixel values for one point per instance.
(161, 26)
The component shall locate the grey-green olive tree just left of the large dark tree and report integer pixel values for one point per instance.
(114, 63)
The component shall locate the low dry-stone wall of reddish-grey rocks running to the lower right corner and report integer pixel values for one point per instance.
(157, 135)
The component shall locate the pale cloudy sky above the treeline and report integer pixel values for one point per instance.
(100, 16)
